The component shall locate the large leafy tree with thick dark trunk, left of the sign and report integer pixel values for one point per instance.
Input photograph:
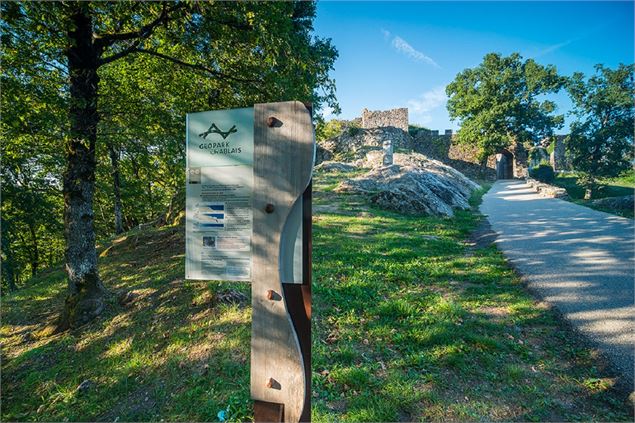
(226, 53)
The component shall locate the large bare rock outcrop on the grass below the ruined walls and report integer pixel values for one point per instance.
(414, 185)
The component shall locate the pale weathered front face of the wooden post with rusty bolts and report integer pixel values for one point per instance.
(283, 162)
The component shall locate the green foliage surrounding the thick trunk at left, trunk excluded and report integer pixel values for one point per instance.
(204, 56)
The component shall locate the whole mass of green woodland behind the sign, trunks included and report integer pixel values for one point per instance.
(95, 110)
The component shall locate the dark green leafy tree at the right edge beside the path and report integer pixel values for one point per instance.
(601, 140)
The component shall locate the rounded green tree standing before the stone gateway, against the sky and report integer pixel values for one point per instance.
(498, 103)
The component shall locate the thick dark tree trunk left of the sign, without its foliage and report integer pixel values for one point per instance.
(86, 293)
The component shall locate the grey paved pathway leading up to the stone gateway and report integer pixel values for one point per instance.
(578, 259)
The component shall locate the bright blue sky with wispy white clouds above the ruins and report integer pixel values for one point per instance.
(403, 54)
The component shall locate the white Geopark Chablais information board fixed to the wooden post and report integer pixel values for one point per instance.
(218, 205)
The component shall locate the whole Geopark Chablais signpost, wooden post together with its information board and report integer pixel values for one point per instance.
(280, 244)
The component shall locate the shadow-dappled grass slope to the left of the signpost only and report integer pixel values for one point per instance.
(175, 351)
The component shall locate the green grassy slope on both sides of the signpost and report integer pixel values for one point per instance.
(410, 323)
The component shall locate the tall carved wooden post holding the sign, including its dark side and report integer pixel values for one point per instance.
(280, 340)
